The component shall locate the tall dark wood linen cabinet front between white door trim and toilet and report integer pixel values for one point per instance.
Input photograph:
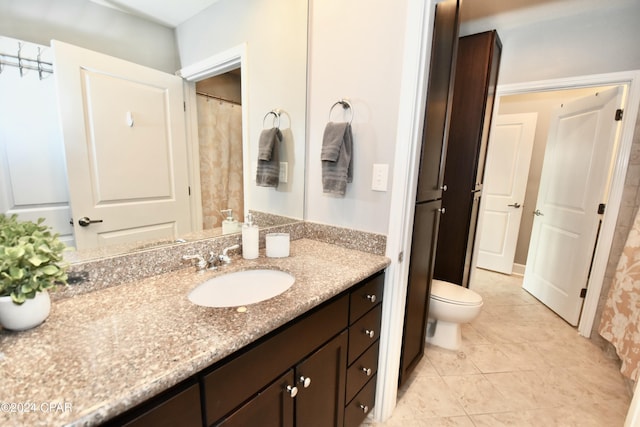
(429, 192)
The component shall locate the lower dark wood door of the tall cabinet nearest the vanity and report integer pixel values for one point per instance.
(425, 232)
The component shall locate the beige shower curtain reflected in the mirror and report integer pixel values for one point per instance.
(220, 143)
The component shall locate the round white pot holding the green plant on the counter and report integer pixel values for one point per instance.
(28, 315)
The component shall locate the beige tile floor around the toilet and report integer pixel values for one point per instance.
(519, 365)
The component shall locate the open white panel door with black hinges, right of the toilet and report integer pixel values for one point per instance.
(575, 176)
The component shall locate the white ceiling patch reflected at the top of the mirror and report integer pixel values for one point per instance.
(170, 13)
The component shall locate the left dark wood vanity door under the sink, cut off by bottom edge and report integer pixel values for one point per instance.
(273, 407)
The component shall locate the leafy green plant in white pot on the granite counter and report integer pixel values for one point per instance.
(31, 262)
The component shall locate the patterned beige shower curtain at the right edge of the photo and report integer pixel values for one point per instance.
(620, 324)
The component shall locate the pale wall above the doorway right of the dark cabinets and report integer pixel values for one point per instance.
(567, 42)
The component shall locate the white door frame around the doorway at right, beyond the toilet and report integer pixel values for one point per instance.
(631, 103)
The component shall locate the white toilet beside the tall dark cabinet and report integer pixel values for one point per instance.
(449, 307)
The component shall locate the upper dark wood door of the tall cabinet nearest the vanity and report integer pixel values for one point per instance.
(439, 98)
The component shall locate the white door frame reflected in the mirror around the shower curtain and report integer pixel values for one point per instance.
(220, 63)
